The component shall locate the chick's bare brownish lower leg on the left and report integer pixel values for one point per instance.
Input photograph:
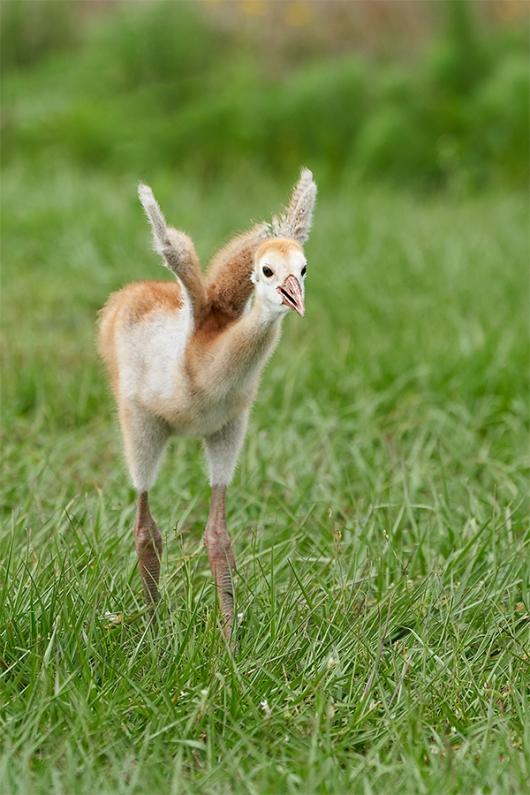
(148, 549)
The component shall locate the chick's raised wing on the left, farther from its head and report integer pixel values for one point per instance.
(177, 250)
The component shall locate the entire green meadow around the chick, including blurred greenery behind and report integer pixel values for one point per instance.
(380, 510)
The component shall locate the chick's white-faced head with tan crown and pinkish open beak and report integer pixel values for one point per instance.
(279, 273)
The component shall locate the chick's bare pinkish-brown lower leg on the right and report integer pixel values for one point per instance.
(220, 555)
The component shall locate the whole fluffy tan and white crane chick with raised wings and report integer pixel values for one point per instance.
(185, 358)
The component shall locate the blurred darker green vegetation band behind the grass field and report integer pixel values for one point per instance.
(428, 95)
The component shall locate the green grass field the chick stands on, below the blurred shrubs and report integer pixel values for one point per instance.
(379, 513)
